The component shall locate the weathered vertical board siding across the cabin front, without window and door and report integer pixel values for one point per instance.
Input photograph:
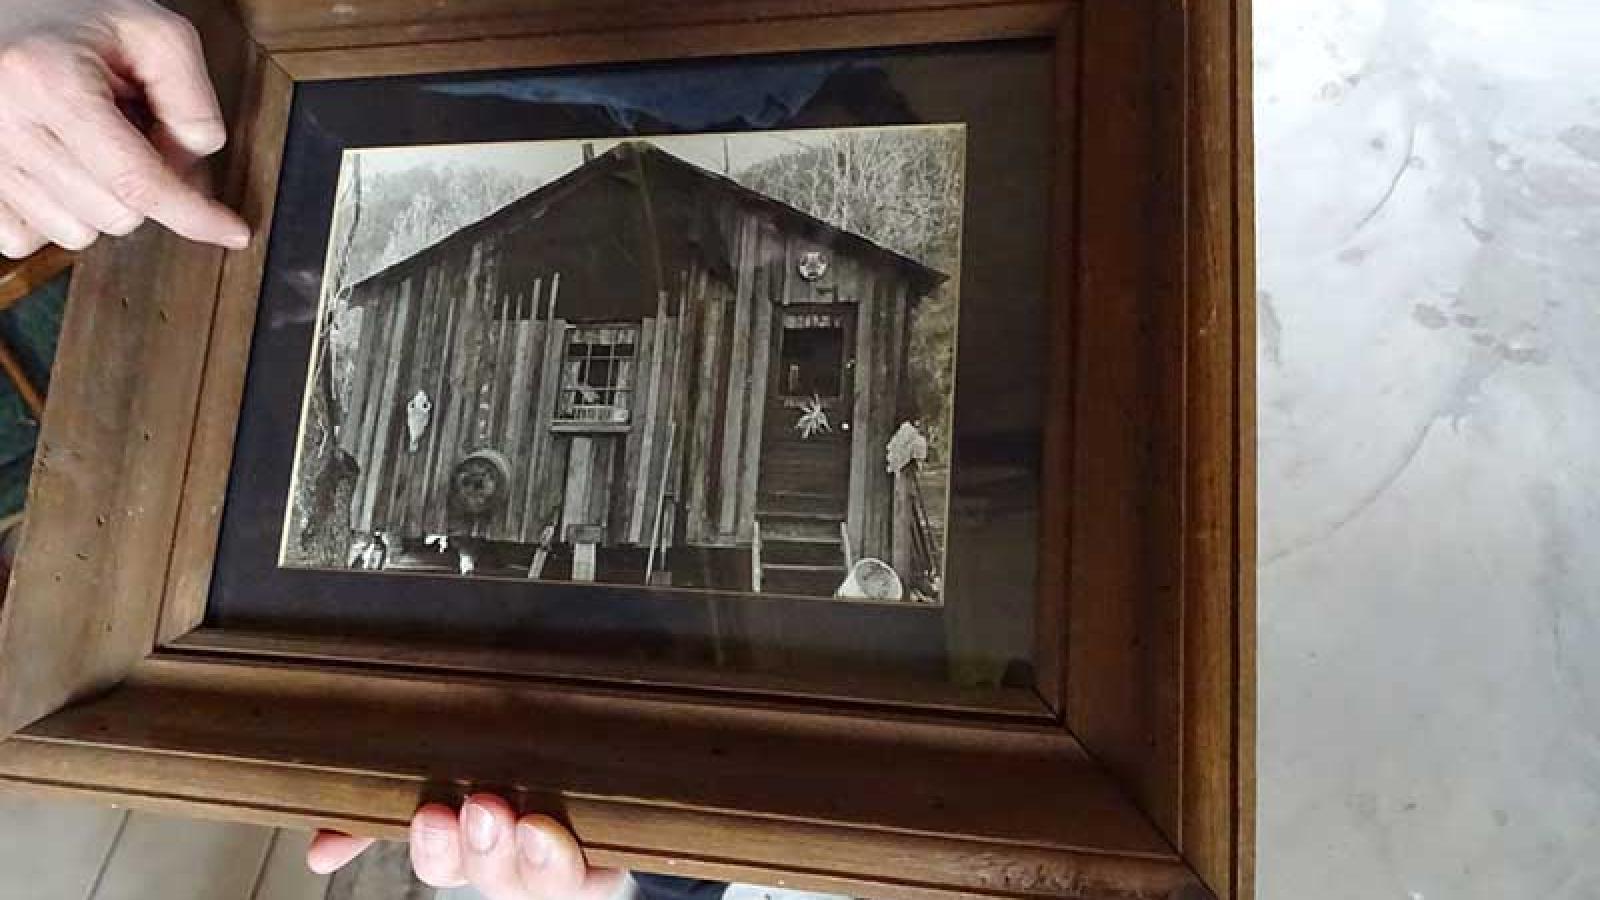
(481, 327)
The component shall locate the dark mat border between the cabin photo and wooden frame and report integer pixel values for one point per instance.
(993, 563)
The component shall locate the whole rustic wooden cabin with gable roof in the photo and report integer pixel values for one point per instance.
(620, 363)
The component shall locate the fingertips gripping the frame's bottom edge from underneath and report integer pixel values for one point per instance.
(489, 848)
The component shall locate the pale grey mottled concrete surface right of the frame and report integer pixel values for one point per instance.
(1430, 212)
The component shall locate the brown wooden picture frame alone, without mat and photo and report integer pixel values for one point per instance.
(1132, 779)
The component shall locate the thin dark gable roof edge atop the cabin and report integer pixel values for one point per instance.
(924, 279)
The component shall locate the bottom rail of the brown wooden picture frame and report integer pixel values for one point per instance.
(894, 802)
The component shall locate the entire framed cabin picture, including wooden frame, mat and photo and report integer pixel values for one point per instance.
(830, 424)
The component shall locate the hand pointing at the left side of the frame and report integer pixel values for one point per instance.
(73, 166)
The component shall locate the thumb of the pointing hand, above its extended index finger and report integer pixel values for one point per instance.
(162, 52)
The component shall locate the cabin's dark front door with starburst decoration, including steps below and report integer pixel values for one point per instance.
(806, 449)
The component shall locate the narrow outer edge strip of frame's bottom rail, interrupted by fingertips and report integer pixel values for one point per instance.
(711, 845)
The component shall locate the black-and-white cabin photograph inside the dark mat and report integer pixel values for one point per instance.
(710, 363)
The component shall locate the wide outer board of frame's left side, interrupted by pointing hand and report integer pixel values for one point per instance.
(111, 459)
